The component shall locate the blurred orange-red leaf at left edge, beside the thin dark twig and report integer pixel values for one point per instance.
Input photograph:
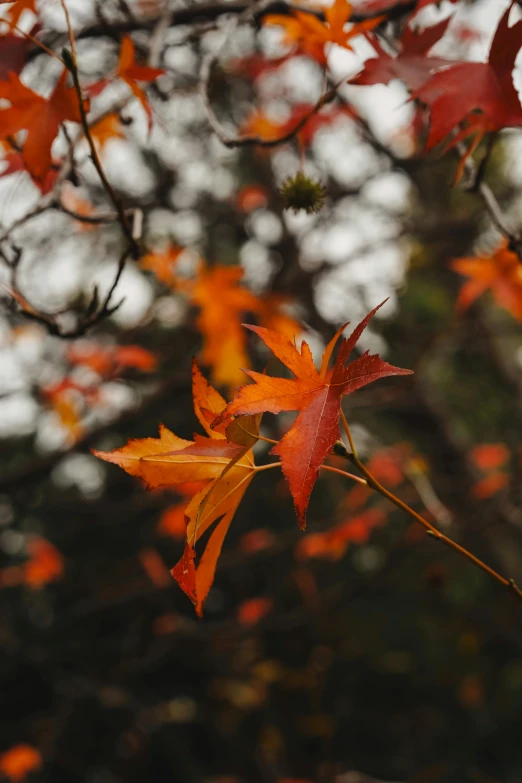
(40, 117)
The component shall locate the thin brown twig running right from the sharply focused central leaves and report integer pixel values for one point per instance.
(431, 530)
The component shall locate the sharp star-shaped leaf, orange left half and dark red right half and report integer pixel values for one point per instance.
(317, 397)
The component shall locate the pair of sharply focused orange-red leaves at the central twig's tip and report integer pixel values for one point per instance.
(223, 458)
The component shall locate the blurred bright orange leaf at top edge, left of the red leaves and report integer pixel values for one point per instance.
(311, 35)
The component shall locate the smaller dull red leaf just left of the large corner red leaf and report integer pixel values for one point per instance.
(411, 65)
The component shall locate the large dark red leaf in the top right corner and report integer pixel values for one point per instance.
(489, 90)
